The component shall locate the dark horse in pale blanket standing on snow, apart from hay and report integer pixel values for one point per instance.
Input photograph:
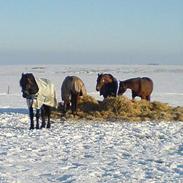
(40, 96)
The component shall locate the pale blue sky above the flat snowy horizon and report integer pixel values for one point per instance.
(91, 31)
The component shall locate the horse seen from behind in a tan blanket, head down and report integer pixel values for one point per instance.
(71, 90)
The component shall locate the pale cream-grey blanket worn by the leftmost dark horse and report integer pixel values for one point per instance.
(46, 95)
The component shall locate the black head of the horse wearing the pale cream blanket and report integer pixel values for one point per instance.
(28, 85)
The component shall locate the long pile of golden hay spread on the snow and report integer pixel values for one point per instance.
(123, 109)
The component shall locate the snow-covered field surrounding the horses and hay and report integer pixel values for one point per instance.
(90, 151)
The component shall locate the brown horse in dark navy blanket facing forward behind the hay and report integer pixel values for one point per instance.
(107, 85)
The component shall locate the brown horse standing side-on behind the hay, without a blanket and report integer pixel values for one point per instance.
(141, 87)
